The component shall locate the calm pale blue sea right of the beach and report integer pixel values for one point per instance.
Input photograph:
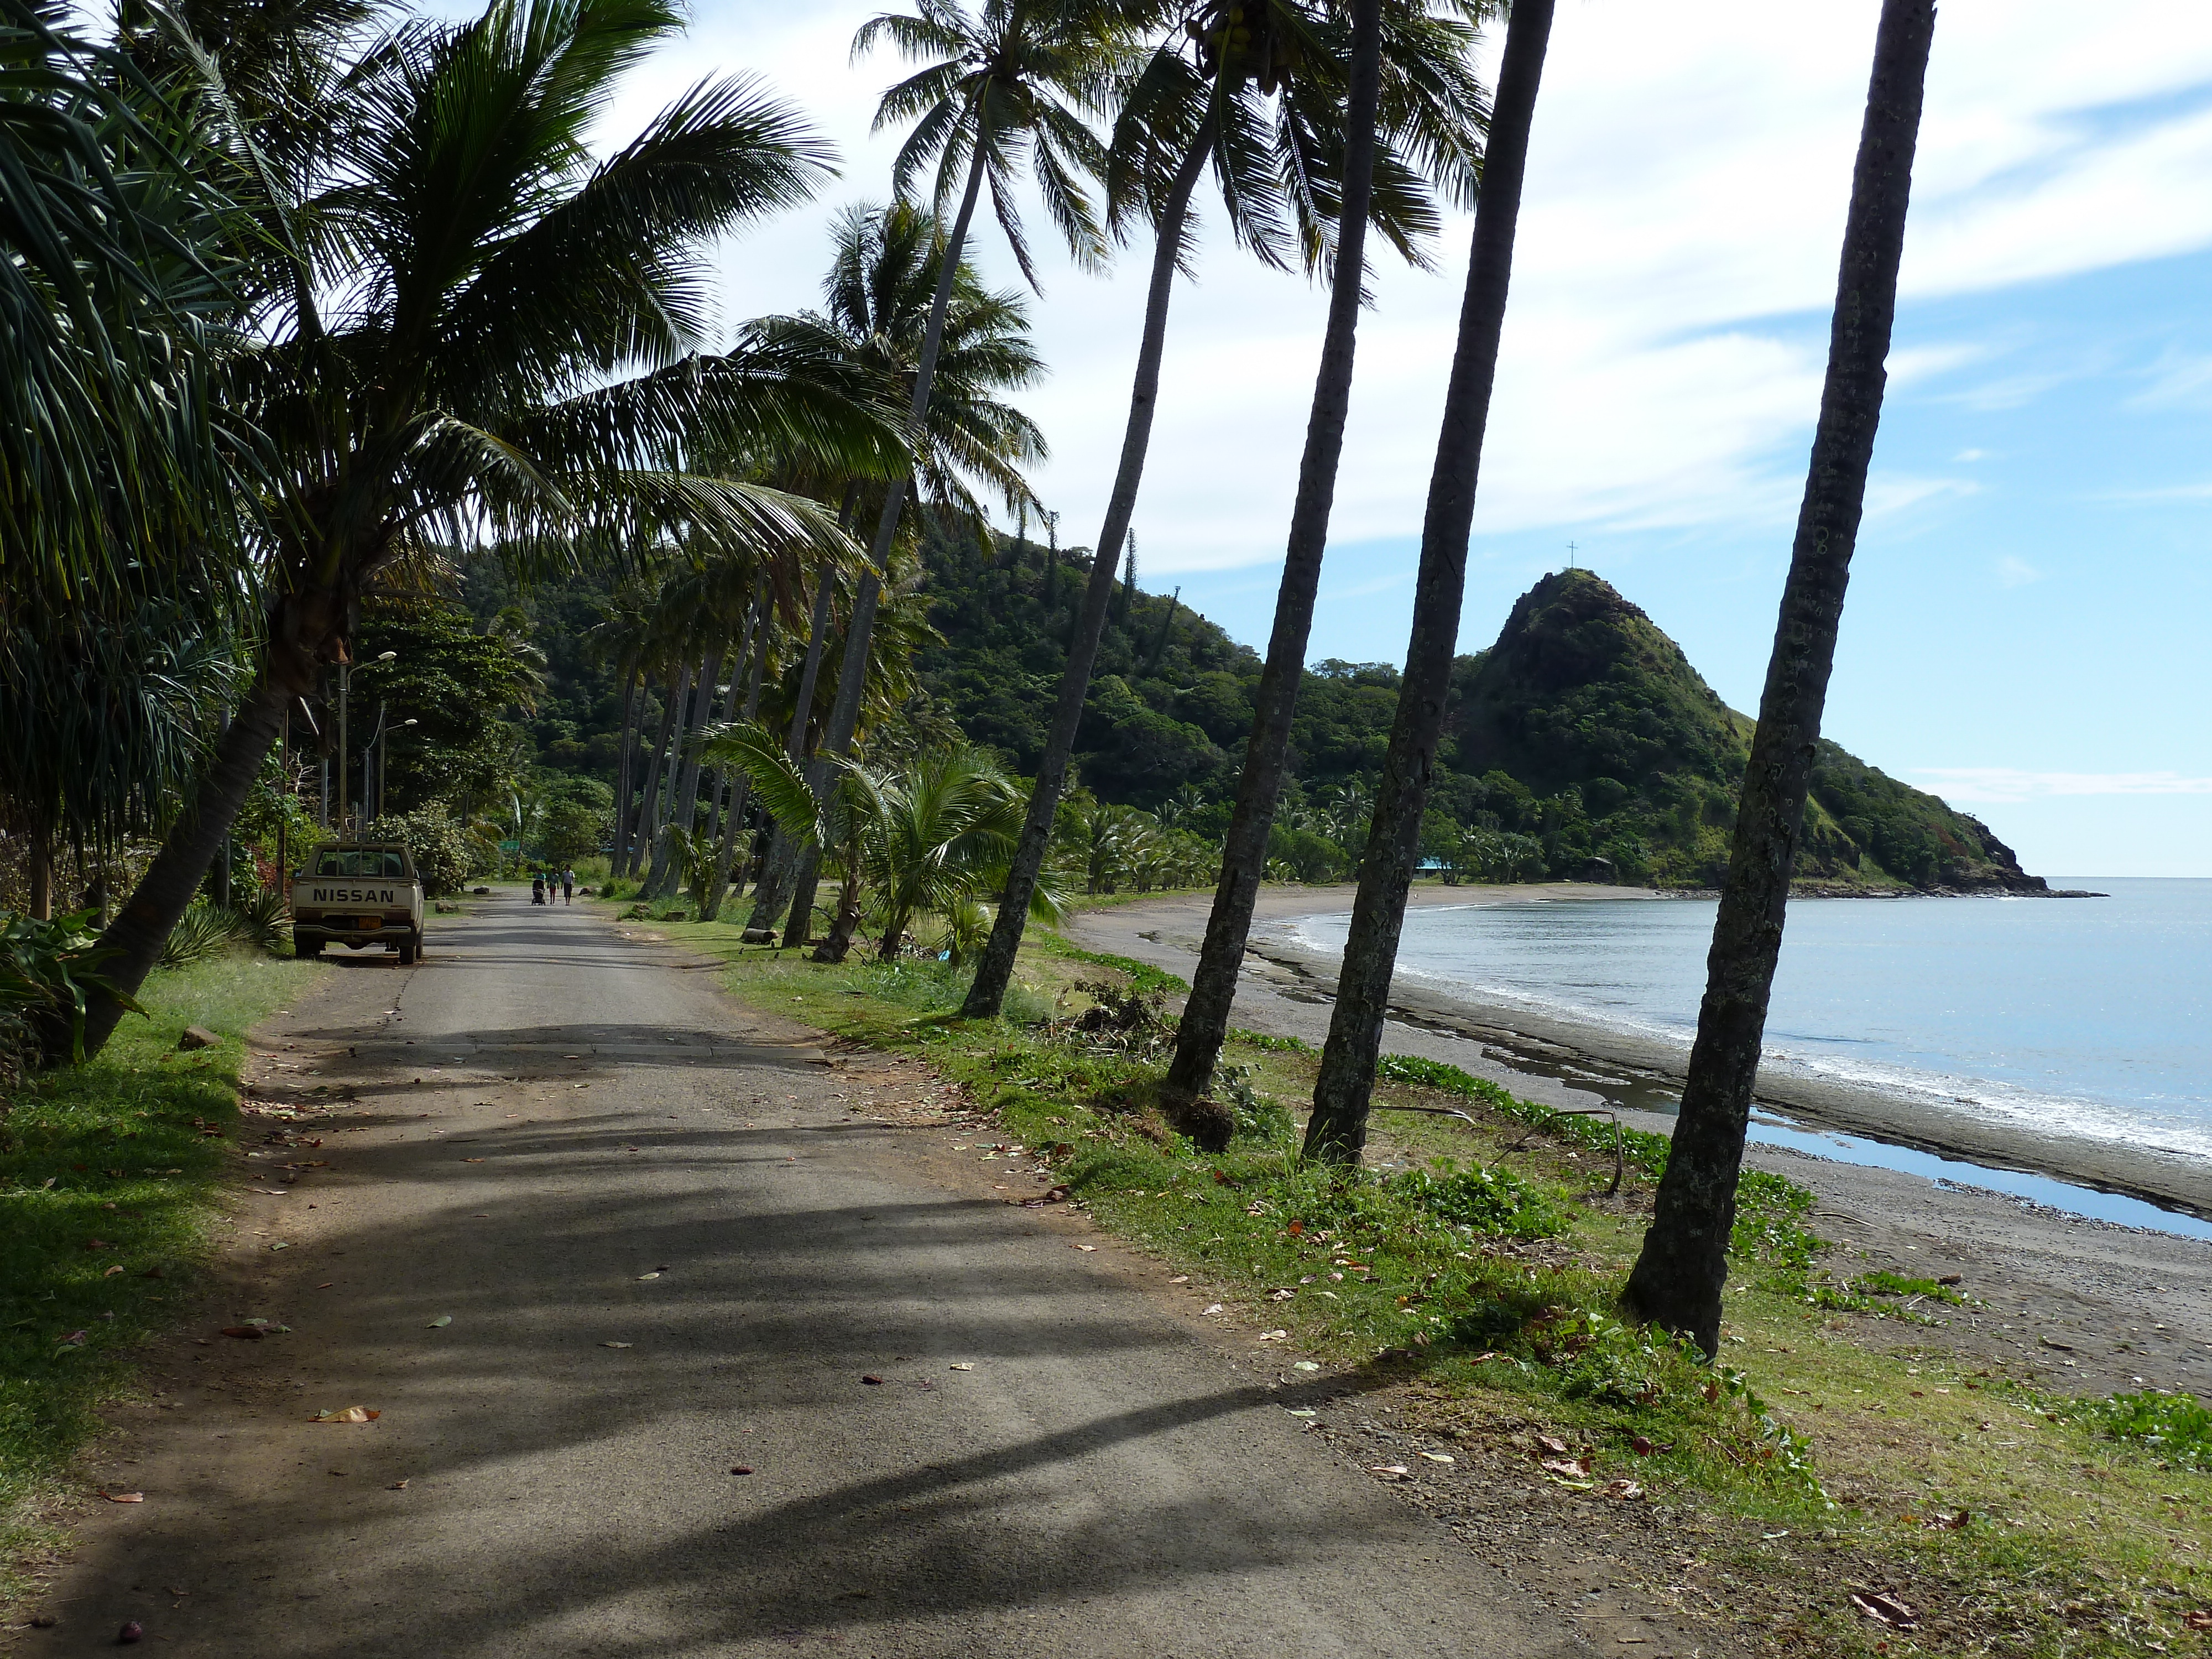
(2080, 1016)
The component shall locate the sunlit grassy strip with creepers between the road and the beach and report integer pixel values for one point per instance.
(1472, 1273)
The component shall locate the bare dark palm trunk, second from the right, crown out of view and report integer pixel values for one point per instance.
(1348, 1061)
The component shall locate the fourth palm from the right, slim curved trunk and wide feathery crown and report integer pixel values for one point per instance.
(1258, 94)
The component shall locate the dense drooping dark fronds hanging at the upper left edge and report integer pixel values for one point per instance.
(121, 607)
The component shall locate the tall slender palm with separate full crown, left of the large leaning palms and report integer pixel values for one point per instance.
(1003, 92)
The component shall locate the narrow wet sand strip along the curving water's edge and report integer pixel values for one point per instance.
(1640, 1076)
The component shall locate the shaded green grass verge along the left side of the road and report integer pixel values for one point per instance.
(107, 1182)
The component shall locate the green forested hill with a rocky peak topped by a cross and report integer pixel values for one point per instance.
(1583, 742)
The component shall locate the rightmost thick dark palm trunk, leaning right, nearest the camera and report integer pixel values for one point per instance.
(1678, 1277)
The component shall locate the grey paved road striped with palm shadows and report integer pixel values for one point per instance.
(541, 1118)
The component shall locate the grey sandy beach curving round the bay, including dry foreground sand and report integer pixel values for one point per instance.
(2080, 1304)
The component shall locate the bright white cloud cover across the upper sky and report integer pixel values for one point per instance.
(1678, 251)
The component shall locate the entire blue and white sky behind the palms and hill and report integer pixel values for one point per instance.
(2025, 627)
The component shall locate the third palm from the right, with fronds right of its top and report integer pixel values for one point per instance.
(1448, 138)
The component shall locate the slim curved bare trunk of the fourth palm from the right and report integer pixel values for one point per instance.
(994, 970)
